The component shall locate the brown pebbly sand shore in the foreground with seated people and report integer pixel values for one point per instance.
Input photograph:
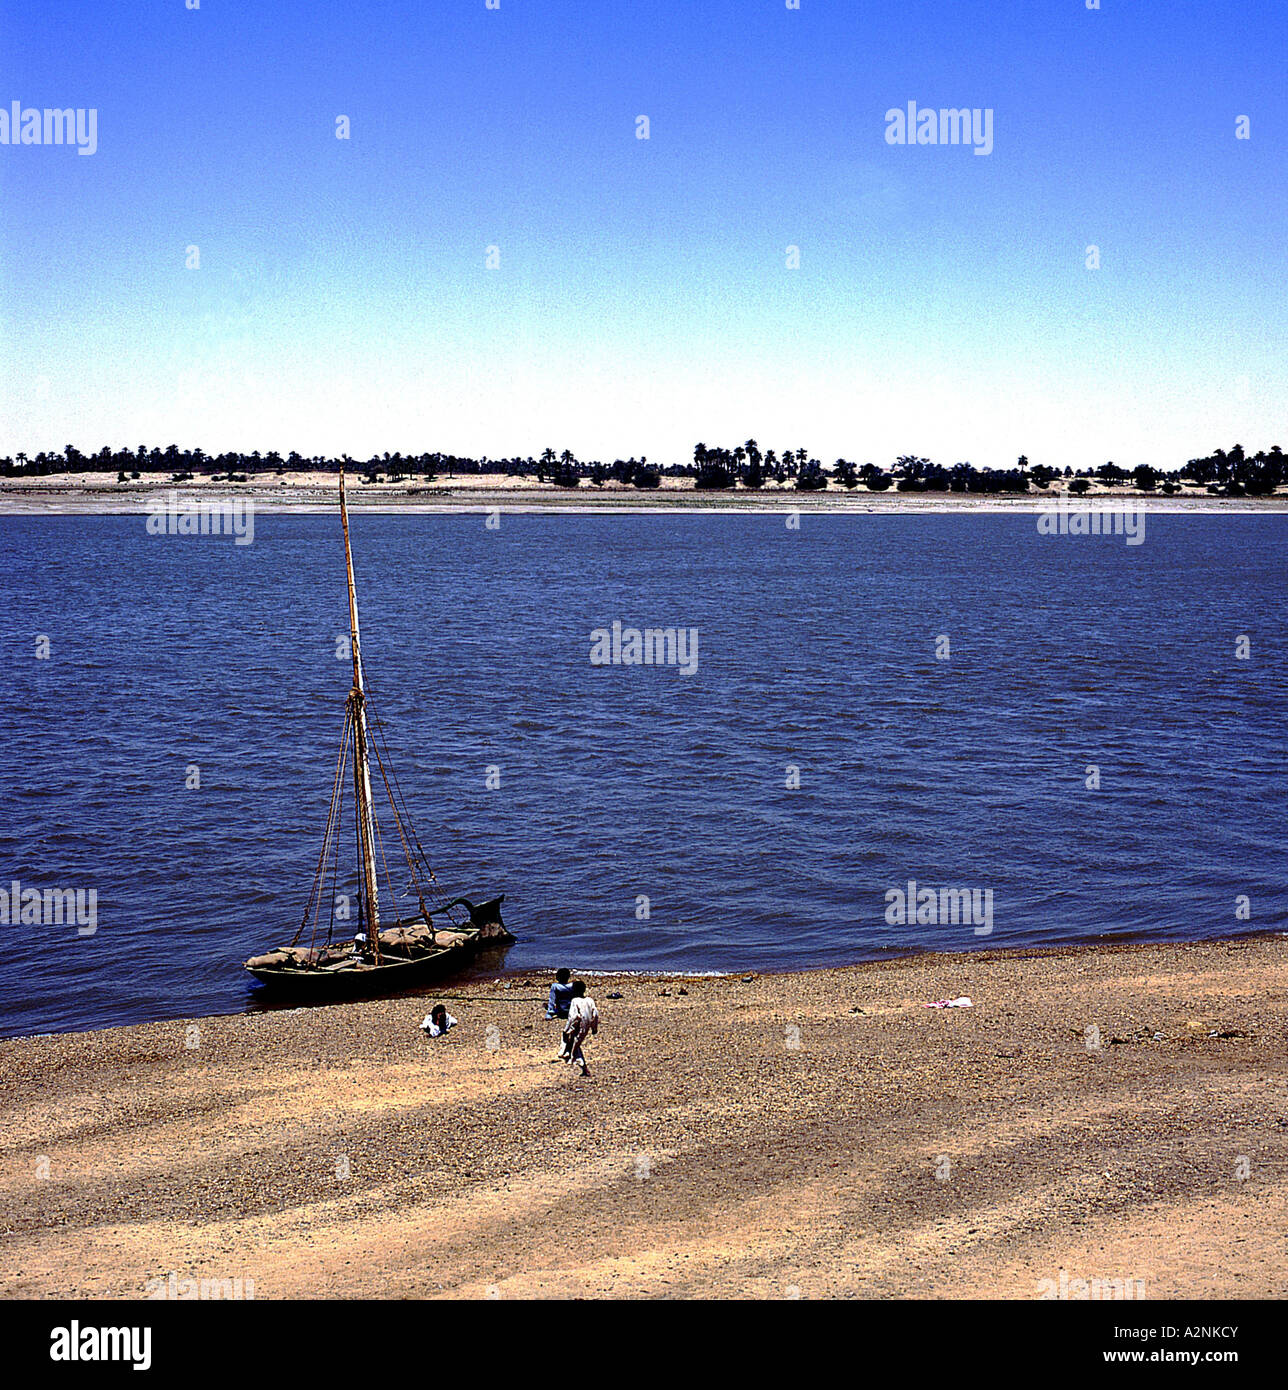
(897, 1152)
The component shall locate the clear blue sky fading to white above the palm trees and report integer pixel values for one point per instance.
(643, 302)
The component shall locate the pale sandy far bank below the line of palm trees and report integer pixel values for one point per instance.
(101, 494)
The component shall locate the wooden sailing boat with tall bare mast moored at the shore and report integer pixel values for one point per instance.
(381, 956)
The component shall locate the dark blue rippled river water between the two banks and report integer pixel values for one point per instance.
(816, 651)
